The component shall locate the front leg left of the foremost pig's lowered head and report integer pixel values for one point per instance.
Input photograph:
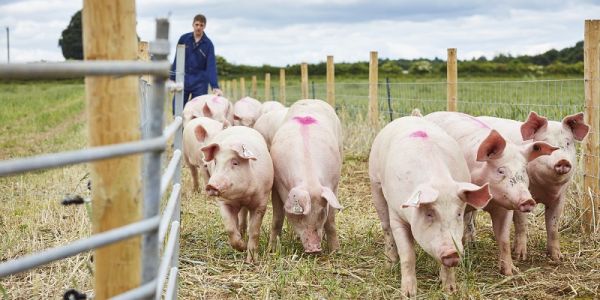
(406, 250)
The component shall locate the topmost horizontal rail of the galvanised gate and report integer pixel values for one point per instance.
(73, 69)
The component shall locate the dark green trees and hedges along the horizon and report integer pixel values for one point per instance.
(568, 61)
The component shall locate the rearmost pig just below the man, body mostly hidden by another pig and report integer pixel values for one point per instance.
(211, 106)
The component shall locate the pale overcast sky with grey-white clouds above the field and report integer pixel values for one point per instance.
(288, 32)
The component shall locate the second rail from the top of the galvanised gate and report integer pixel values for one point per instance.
(53, 160)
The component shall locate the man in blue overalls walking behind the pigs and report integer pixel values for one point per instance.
(200, 62)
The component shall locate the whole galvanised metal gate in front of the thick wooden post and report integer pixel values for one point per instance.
(154, 226)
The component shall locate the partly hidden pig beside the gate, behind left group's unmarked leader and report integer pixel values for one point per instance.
(195, 135)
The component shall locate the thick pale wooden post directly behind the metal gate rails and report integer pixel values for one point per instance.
(113, 114)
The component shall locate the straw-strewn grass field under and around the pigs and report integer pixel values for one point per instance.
(50, 116)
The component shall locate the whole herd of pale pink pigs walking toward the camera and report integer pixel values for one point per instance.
(429, 175)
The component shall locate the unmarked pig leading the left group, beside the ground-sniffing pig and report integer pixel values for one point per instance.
(242, 178)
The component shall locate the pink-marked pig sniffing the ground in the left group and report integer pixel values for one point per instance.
(307, 156)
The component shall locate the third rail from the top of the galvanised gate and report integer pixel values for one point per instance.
(95, 241)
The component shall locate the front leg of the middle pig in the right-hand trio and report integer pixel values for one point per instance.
(501, 220)
